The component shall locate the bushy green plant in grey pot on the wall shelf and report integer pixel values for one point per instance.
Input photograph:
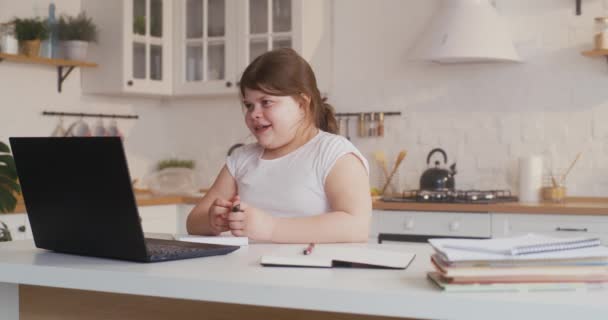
(75, 34)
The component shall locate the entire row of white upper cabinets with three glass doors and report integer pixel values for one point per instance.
(200, 47)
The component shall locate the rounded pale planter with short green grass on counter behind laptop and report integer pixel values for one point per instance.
(174, 177)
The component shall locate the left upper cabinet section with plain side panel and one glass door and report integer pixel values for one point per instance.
(134, 49)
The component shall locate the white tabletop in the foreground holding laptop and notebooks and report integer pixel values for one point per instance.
(239, 278)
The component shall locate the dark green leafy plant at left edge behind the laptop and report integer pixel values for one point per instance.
(8, 180)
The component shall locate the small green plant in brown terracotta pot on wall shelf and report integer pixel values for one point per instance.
(30, 32)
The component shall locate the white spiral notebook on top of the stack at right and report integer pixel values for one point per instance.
(514, 246)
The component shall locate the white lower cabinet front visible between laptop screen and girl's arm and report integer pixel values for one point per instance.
(159, 219)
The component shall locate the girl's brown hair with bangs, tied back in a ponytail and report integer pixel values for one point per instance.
(283, 72)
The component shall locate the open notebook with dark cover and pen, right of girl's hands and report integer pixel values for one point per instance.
(328, 256)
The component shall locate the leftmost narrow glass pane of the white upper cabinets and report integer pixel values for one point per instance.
(147, 43)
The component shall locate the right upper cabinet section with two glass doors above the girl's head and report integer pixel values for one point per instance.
(217, 39)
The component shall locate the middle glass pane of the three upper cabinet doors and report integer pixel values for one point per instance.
(205, 41)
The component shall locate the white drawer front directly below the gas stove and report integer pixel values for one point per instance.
(432, 223)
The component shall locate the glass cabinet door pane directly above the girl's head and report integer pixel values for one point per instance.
(270, 26)
